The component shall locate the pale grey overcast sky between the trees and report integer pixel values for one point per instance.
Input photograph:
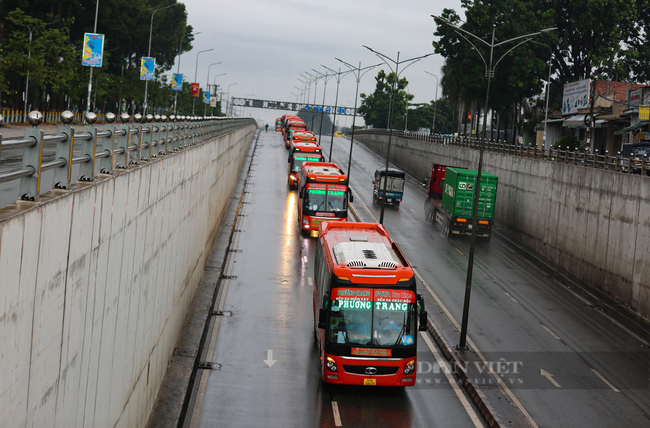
(265, 45)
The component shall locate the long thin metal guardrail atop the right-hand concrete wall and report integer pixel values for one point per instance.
(638, 165)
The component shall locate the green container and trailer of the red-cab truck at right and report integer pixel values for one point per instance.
(455, 211)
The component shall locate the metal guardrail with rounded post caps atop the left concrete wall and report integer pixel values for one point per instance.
(117, 146)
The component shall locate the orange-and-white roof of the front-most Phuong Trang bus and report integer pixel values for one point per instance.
(363, 253)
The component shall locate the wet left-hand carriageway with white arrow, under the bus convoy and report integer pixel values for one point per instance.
(269, 373)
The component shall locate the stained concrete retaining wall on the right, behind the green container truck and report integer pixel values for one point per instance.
(592, 224)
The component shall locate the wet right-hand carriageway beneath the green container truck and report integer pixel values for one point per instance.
(579, 368)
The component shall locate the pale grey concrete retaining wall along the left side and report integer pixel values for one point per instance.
(95, 284)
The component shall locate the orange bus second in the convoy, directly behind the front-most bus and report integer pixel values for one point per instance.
(323, 196)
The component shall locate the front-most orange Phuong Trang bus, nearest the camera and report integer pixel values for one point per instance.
(365, 307)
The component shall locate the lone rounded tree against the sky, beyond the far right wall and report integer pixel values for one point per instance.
(374, 107)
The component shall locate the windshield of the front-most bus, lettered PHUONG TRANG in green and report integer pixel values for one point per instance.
(356, 318)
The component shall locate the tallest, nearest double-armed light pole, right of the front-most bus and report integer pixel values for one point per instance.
(489, 72)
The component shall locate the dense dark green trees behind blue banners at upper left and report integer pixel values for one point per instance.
(57, 80)
